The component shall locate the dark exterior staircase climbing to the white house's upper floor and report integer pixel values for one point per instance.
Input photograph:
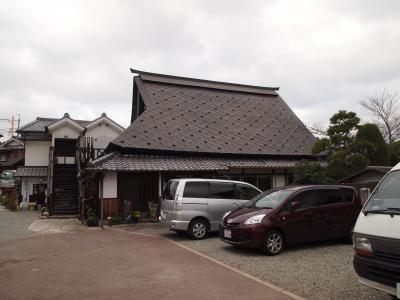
(65, 196)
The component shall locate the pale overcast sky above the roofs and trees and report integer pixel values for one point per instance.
(74, 56)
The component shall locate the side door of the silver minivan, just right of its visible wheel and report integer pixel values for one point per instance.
(221, 199)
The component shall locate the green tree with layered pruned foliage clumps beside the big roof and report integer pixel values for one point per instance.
(340, 130)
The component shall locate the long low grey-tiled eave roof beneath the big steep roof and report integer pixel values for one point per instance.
(119, 162)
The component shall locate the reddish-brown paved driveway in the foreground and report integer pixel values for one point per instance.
(116, 265)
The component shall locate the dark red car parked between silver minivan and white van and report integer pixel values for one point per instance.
(291, 215)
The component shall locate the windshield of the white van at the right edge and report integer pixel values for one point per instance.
(386, 197)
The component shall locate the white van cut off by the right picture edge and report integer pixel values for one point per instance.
(377, 236)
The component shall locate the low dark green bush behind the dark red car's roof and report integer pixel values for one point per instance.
(309, 172)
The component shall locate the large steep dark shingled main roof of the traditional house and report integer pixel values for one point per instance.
(183, 117)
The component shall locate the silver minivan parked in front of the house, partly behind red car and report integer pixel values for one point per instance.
(196, 206)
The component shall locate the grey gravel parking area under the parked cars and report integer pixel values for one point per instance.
(314, 271)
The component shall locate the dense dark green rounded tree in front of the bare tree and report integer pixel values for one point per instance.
(370, 142)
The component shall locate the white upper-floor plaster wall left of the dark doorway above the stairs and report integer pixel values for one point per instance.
(37, 153)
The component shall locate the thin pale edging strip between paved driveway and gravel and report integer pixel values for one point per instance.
(265, 283)
